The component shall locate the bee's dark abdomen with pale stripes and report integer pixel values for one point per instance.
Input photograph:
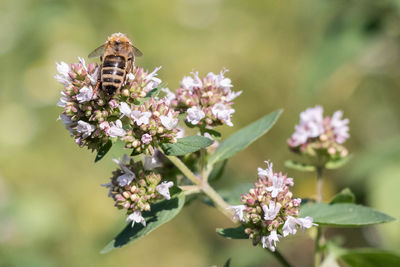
(112, 73)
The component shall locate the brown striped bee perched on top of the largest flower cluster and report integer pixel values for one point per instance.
(117, 56)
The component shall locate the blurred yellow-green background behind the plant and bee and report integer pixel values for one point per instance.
(290, 54)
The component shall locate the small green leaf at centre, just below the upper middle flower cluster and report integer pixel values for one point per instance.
(186, 145)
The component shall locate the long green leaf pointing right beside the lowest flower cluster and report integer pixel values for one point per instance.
(344, 215)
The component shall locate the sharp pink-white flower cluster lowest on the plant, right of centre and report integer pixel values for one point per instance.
(268, 211)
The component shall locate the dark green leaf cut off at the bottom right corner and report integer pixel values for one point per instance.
(370, 258)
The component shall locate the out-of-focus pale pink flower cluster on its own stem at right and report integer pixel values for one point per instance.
(314, 132)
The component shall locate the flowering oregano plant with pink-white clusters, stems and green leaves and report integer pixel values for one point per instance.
(163, 167)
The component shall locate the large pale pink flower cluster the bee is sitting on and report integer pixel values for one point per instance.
(92, 118)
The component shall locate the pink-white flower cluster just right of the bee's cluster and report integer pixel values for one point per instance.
(206, 101)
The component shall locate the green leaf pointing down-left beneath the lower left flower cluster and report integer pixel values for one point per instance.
(161, 212)
